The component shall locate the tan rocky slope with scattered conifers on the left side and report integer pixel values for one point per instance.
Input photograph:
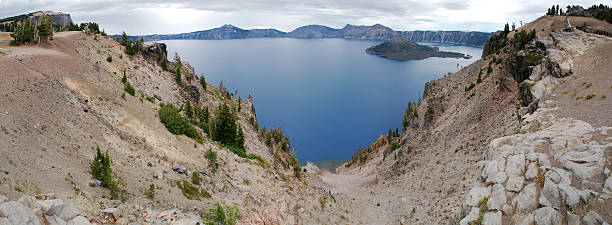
(61, 100)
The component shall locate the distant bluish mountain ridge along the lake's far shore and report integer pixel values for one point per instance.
(375, 32)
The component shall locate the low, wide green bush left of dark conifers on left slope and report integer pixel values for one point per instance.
(175, 123)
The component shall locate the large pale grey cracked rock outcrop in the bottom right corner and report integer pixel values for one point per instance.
(546, 177)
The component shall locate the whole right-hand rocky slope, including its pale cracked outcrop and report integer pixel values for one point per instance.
(497, 144)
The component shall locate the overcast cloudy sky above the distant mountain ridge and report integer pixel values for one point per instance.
(176, 16)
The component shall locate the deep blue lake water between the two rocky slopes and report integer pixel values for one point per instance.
(328, 95)
